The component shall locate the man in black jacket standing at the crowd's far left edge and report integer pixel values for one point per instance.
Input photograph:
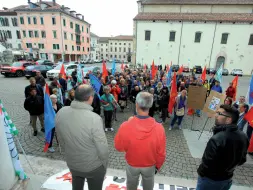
(34, 104)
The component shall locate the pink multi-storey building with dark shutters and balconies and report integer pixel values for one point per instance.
(54, 32)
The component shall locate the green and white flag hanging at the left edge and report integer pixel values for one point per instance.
(10, 130)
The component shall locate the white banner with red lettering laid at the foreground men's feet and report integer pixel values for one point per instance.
(63, 181)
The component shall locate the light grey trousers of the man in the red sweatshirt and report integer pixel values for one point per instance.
(133, 174)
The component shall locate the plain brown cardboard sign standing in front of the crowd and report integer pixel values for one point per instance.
(196, 97)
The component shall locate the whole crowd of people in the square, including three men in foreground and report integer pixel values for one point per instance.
(142, 137)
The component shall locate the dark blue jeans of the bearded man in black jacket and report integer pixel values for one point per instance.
(205, 183)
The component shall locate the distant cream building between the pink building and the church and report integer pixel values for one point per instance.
(119, 48)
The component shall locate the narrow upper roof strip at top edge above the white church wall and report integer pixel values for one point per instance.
(197, 2)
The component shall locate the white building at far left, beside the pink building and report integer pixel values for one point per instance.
(9, 31)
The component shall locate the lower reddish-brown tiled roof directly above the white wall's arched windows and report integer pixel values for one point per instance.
(220, 17)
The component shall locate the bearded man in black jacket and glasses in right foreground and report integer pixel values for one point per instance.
(226, 150)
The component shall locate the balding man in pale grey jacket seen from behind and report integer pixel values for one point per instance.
(86, 148)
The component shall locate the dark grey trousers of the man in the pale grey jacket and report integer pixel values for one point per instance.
(94, 178)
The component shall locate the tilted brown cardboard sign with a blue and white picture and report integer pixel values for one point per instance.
(213, 102)
